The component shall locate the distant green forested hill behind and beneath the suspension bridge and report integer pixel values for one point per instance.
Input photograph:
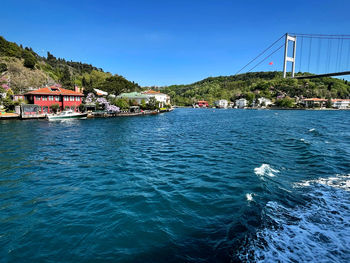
(257, 84)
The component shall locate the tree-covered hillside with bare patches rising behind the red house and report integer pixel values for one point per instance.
(22, 68)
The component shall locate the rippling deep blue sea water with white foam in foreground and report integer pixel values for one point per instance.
(193, 185)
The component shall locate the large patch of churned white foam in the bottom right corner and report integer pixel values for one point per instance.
(316, 232)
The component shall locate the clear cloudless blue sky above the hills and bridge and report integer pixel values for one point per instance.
(171, 42)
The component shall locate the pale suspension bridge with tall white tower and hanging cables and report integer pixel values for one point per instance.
(305, 56)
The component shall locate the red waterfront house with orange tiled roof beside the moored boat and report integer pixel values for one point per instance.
(48, 96)
